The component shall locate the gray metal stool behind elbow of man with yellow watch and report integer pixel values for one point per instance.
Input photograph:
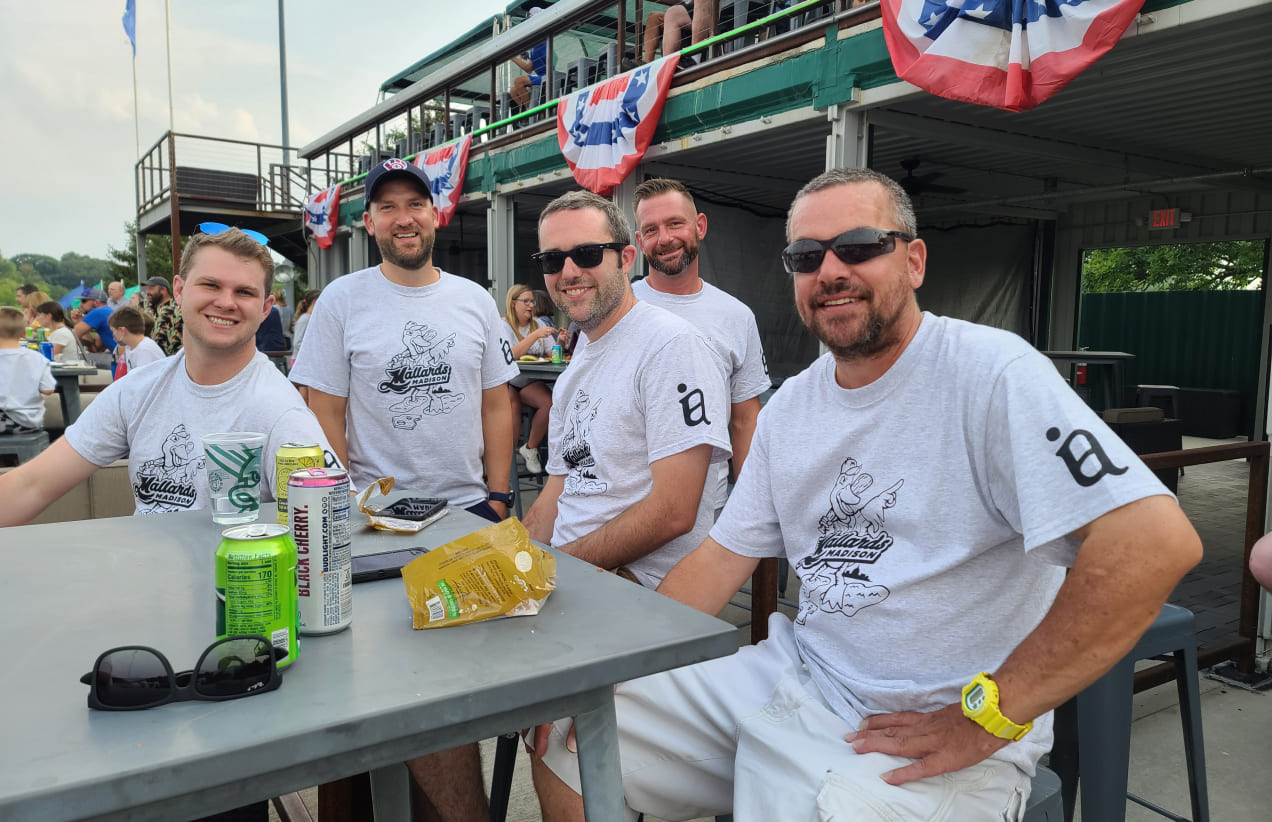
(1100, 756)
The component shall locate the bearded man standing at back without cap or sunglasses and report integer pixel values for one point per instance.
(670, 231)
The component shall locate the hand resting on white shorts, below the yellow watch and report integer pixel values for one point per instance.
(941, 742)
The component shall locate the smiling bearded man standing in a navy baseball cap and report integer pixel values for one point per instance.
(406, 367)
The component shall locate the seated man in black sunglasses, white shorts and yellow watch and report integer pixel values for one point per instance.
(929, 480)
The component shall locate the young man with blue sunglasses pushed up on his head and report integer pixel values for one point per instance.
(157, 417)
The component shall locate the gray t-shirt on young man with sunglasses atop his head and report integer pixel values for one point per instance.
(157, 418)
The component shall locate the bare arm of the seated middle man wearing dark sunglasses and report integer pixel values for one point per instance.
(668, 512)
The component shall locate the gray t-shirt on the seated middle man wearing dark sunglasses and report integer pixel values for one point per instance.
(647, 390)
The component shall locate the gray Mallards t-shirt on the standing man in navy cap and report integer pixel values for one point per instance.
(413, 363)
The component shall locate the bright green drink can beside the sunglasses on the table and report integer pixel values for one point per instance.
(256, 586)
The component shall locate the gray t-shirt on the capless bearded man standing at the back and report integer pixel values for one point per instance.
(731, 330)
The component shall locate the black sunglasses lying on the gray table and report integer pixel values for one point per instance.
(135, 678)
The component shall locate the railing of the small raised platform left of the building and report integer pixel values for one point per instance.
(230, 172)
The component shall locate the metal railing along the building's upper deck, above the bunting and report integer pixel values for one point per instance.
(469, 95)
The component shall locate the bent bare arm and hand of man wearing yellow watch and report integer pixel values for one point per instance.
(1129, 563)
